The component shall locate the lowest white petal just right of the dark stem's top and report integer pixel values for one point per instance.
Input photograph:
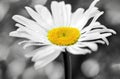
(76, 50)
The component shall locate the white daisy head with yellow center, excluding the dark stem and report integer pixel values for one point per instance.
(60, 30)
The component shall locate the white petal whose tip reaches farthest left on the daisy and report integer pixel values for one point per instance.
(33, 36)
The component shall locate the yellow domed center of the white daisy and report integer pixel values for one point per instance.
(63, 36)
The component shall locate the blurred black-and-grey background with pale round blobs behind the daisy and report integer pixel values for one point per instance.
(102, 64)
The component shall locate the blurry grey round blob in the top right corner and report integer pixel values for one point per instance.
(113, 12)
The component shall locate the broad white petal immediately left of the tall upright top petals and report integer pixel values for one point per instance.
(45, 15)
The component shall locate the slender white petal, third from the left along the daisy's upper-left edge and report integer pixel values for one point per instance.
(37, 18)
